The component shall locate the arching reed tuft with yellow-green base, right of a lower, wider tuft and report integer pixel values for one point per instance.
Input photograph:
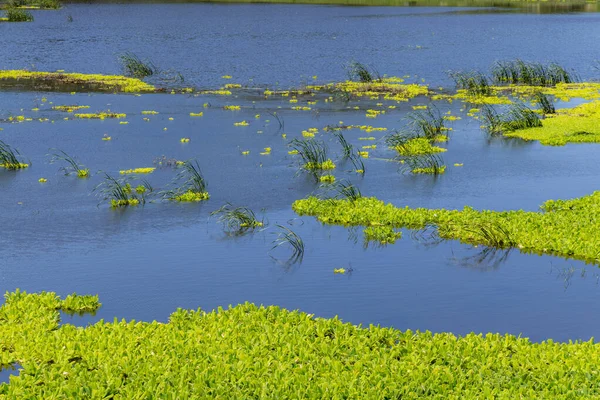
(191, 185)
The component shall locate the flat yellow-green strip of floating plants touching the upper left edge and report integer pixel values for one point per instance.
(71, 82)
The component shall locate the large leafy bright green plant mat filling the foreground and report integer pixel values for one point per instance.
(249, 352)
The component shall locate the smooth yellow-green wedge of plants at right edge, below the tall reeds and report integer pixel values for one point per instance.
(580, 124)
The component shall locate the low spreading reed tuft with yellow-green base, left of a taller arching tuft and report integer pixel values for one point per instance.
(120, 193)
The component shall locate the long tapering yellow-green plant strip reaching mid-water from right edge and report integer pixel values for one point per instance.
(565, 228)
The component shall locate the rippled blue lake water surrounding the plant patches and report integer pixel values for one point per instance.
(144, 262)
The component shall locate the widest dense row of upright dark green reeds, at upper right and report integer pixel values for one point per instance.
(530, 73)
